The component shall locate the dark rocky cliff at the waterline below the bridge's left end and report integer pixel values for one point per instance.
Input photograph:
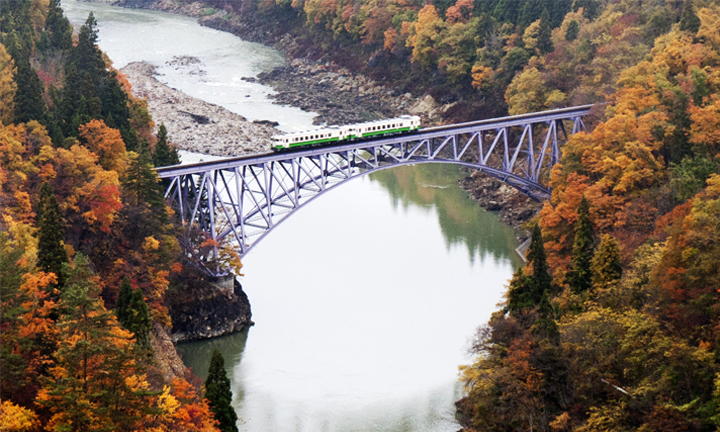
(202, 309)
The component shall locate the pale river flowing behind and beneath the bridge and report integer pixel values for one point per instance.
(367, 299)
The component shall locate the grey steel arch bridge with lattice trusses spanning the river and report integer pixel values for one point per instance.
(245, 198)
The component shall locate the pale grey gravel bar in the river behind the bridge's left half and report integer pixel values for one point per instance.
(192, 124)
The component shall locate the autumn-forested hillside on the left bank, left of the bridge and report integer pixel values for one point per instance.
(88, 253)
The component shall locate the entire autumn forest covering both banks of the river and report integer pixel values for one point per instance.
(612, 325)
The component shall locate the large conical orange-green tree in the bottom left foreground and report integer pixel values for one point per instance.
(97, 382)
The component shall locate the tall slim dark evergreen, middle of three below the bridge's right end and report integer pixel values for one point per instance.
(580, 277)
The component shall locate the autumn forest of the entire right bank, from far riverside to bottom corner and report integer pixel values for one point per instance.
(614, 323)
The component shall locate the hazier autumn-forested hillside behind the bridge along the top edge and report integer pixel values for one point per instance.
(489, 57)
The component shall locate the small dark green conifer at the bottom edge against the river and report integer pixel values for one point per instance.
(219, 394)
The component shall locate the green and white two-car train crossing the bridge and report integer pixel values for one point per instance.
(339, 134)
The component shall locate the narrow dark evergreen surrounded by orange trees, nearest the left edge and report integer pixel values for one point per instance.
(51, 250)
